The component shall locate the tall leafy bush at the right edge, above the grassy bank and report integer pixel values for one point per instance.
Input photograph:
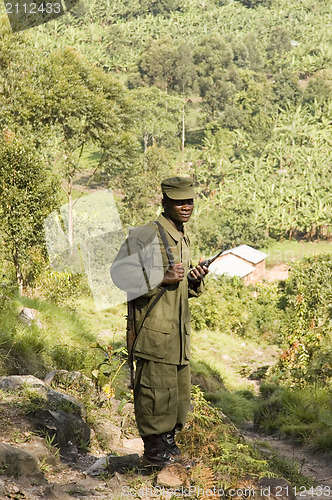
(306, 304)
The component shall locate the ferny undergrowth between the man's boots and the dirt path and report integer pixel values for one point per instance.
(213, 442)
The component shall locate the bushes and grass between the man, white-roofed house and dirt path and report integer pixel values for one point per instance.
(295, 398)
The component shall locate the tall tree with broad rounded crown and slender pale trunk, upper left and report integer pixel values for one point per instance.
(73, 104)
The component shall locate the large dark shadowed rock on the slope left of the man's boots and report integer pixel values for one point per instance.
(69, 430)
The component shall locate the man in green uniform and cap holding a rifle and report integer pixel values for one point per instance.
(153, 266)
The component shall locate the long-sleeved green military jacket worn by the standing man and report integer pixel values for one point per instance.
(163, 334)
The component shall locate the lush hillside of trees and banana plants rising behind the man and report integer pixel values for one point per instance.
(238, 93)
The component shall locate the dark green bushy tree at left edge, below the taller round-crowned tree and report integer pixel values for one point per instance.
(28, 193)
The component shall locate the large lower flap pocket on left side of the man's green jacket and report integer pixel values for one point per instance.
(153, 337)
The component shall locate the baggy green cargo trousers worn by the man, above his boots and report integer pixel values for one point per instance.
(161, 396)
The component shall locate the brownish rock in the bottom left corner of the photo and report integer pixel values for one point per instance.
(16, 462)
